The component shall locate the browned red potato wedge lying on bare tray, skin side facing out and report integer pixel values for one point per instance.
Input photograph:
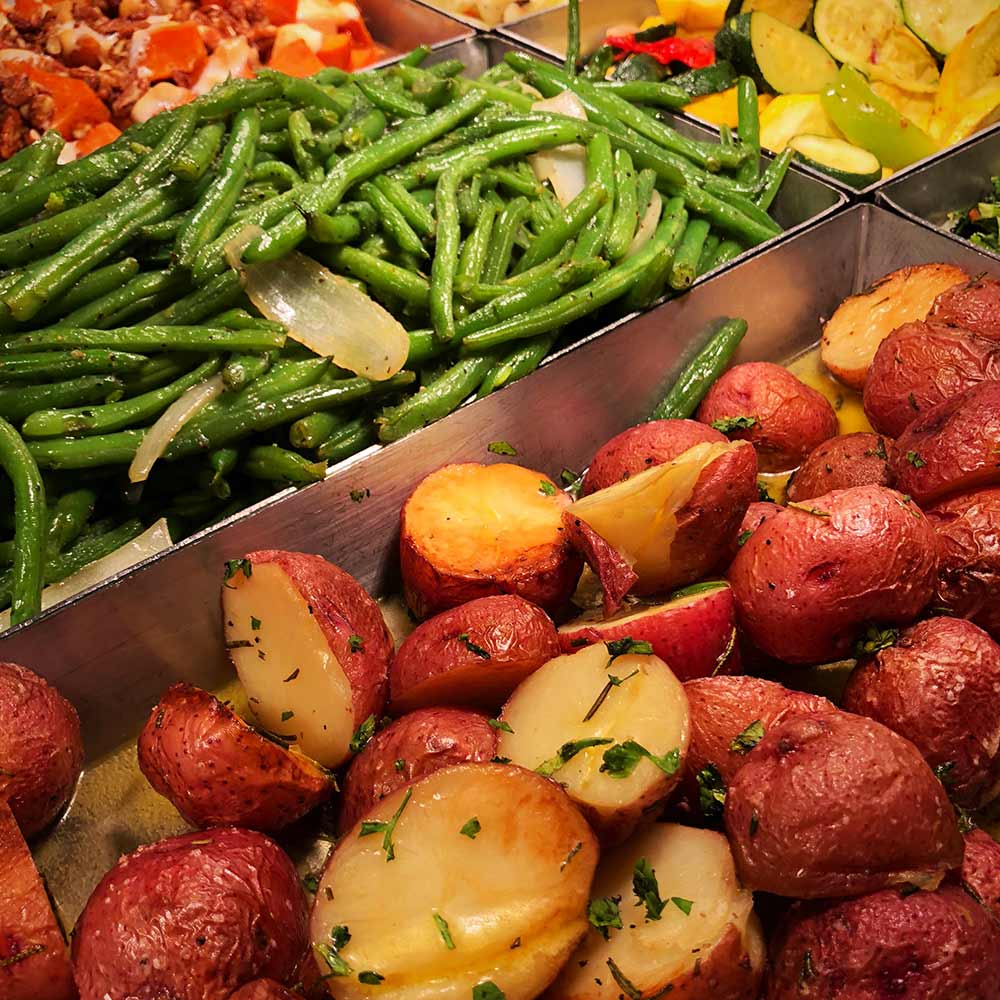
(217, 771)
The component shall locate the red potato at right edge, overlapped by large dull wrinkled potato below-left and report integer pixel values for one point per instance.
(939, 687)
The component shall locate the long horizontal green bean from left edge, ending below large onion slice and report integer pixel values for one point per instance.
(153, 338)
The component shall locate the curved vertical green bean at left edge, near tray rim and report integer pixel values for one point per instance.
(30, 518)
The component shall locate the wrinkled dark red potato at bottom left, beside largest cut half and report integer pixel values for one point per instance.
(192, 918)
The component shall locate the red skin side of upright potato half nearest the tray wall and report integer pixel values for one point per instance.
(342, 608)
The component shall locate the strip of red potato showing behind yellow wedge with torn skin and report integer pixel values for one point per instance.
(643, 446)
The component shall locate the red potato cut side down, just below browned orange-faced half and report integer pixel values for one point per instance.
(475, 654)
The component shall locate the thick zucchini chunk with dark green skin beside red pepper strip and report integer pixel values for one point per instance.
(779, 58)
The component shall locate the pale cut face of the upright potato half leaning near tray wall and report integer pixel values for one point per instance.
(315, 706)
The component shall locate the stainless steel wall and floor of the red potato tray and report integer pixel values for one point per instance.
(115, 651)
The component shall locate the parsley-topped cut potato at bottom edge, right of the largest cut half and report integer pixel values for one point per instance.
(716, 952)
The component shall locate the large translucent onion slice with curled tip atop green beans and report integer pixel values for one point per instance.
(323, 311)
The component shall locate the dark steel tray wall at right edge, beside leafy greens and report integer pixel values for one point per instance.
(953, 182)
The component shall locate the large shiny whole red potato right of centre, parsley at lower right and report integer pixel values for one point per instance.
(809, 579)
